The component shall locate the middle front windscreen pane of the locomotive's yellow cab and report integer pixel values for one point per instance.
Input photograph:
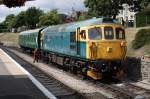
(108, 32)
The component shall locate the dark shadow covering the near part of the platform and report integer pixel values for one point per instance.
(18, 87)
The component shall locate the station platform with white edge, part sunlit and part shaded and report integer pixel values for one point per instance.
(14, 82)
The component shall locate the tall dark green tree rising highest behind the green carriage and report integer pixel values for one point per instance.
(32, 17)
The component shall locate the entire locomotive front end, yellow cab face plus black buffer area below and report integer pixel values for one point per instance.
(105, 49)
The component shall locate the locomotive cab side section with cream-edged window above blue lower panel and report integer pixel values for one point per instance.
(81, 42)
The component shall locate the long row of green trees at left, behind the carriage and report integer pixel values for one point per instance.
(31, 18)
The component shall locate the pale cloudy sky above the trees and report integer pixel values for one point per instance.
(63, 6)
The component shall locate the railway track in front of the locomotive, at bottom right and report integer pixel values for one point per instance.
(124, 90)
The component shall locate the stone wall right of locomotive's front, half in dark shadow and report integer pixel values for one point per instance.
(137, 68)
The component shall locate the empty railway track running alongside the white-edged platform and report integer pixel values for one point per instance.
(60, 90)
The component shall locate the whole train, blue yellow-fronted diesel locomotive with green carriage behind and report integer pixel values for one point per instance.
(94, 47)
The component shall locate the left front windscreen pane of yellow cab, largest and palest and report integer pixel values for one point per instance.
(95, 33)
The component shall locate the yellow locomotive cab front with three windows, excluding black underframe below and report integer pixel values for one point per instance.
(106, 42)
